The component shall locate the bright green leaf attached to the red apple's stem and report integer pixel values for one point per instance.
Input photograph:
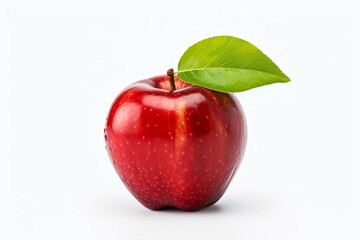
(228, 64)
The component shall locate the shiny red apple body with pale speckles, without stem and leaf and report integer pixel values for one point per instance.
(175, 149)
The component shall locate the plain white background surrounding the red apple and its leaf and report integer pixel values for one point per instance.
(63, 62)
